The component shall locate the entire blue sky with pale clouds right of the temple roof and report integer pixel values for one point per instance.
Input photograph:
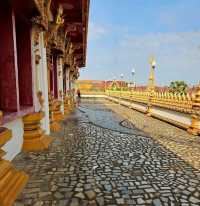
(123, 34)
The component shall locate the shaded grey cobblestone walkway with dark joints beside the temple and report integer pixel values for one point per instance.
(93, 163)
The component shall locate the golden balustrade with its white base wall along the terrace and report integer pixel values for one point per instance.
(184, 110)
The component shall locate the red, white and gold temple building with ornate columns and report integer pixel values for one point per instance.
(43, 46)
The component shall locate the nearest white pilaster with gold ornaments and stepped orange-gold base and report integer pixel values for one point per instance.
(35, 138)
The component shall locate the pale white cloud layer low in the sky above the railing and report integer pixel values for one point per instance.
(177, 55)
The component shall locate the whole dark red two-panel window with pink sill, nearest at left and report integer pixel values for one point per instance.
(15, 64)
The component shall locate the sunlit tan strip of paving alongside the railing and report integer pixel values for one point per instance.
(177, 140)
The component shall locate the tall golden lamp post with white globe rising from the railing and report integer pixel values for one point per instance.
(151, 86)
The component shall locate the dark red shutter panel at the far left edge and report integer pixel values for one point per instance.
(8, 81)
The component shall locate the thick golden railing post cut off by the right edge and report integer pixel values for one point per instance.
(195, 117)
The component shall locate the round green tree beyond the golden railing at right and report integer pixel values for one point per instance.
(178, 87)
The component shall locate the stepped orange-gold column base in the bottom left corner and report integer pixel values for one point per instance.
(12, 181)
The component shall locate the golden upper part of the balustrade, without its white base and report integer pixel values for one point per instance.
(183, 103)
